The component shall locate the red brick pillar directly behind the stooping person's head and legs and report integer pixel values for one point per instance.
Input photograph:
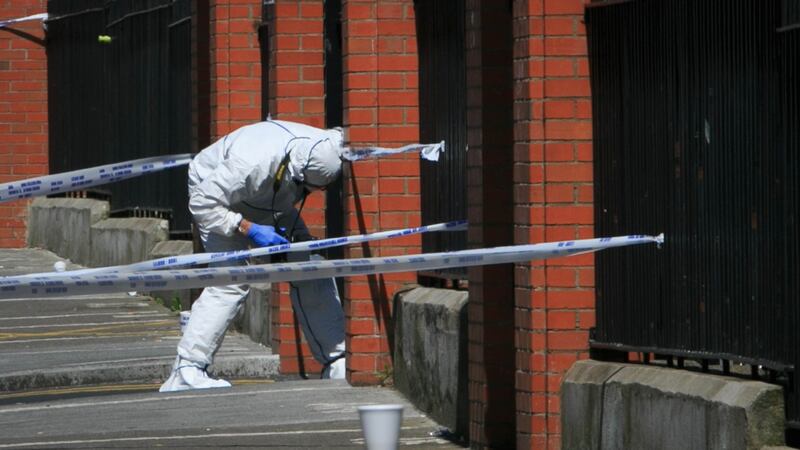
(296, 93)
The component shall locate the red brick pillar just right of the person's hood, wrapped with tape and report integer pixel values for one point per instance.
(381, 107)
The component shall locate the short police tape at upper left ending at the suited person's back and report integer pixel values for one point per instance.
(86, 178)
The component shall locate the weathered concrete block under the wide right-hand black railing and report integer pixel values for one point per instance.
(611, 405)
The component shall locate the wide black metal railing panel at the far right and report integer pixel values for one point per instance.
(696, 111)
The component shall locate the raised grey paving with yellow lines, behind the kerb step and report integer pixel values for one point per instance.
(74, 341)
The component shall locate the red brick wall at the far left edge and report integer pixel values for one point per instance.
(23, 110)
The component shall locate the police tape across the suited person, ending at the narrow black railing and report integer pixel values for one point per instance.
(221, 257)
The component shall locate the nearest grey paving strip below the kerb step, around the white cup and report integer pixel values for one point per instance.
(285, 414)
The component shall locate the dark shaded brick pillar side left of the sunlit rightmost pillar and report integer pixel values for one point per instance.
(490, 211)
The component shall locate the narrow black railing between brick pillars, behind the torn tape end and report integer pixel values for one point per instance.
(442, 116)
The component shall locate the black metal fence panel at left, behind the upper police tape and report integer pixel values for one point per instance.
(120, 88)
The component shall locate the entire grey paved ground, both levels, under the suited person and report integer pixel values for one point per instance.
(83, 372)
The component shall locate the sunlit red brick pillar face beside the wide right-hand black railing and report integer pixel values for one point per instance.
(553, 201)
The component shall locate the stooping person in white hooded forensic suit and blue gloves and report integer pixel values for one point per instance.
(242, 192)
